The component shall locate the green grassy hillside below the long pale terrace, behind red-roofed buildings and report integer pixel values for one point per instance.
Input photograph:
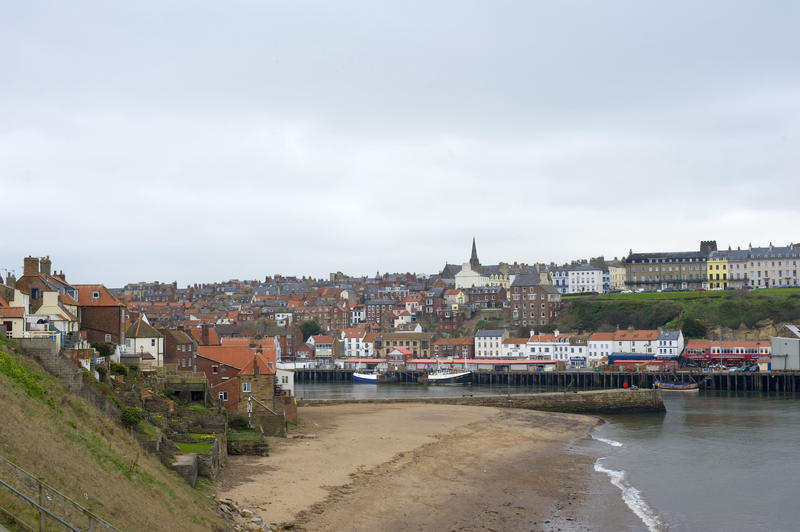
(651, 309)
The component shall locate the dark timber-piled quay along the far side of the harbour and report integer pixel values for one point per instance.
(584, 380)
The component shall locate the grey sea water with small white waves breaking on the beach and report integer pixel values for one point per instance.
(714, 461)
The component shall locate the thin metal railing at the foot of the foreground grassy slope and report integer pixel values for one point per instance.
(42, 504)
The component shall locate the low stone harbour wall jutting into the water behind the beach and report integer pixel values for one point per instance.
(625, 401)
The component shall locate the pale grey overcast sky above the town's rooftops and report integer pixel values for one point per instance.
(191, 141)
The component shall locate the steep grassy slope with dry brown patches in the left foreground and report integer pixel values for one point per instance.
(66, 442)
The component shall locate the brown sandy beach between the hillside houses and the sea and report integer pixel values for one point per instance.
(429, 467)
